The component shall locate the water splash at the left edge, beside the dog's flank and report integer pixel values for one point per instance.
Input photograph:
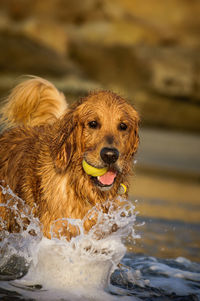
(16, 248)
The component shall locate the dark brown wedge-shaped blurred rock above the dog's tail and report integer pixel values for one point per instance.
(22, 55)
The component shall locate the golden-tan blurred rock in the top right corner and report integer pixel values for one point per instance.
(178, 19)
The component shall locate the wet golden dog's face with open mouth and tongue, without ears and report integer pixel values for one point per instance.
(109, 135)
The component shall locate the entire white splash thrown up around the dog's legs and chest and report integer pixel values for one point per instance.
(80, 267)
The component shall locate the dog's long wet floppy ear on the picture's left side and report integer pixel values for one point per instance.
(64, 142)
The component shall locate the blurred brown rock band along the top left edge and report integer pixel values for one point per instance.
(56, 10)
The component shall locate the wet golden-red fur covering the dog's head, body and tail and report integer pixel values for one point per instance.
(42, 149)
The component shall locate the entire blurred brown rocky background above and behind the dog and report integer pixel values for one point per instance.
(148, 51)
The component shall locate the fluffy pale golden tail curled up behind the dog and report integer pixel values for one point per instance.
(33, 102)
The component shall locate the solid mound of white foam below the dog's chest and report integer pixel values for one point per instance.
(59, 265)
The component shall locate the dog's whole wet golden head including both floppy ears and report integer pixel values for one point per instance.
(102, 129)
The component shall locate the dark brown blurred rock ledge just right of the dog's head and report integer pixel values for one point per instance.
(164, 112)
